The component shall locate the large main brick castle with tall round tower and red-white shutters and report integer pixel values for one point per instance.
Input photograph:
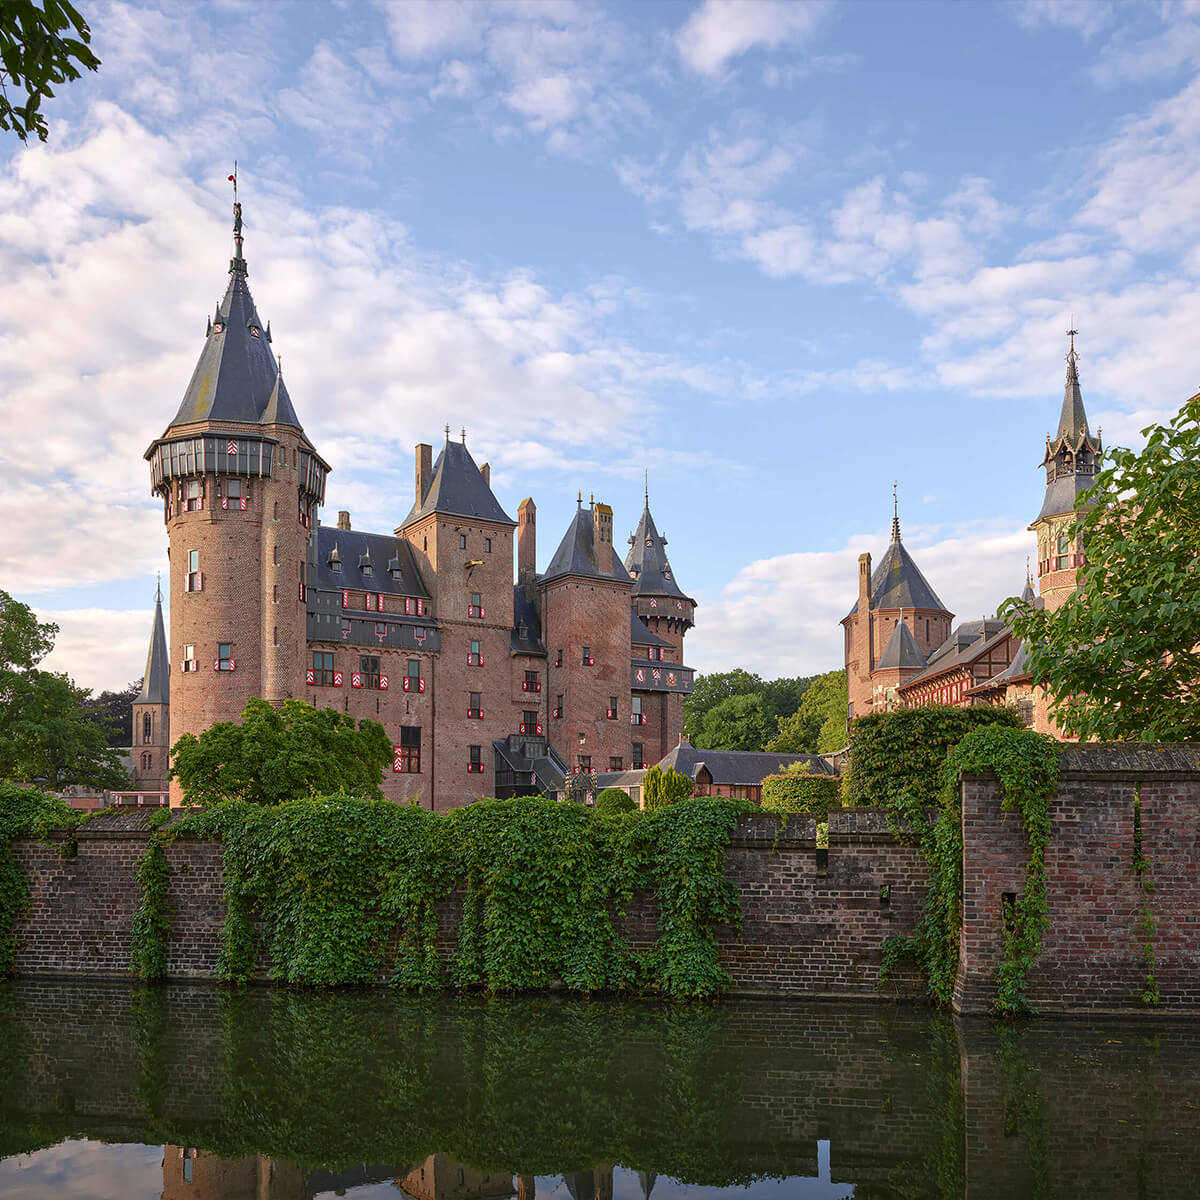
(484, 687)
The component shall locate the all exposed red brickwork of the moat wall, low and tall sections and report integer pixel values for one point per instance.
(813, 921)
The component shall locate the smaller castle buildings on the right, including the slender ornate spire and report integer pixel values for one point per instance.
(901, 650)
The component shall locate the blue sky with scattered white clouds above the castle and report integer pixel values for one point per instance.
(777, 254)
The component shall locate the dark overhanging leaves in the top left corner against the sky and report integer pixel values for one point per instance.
(41, 45)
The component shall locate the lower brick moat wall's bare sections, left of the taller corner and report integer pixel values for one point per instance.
(813, 921)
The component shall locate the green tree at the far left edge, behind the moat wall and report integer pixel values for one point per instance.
(49, 736)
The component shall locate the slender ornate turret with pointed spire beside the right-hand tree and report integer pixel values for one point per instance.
(1071, 463)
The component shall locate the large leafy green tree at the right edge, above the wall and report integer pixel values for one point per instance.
(1121, 657)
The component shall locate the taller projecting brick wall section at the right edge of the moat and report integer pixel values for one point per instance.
(1093, 950)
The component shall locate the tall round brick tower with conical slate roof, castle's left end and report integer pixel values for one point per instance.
(241, 485)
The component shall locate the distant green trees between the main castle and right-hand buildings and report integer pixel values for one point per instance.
(740, 711)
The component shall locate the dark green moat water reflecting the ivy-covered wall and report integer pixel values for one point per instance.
(200, 1094)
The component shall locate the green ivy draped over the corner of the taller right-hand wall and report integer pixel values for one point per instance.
(1027, 767)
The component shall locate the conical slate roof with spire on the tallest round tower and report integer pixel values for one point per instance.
(237, 377)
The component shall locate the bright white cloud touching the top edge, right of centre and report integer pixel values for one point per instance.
(721, 31)
